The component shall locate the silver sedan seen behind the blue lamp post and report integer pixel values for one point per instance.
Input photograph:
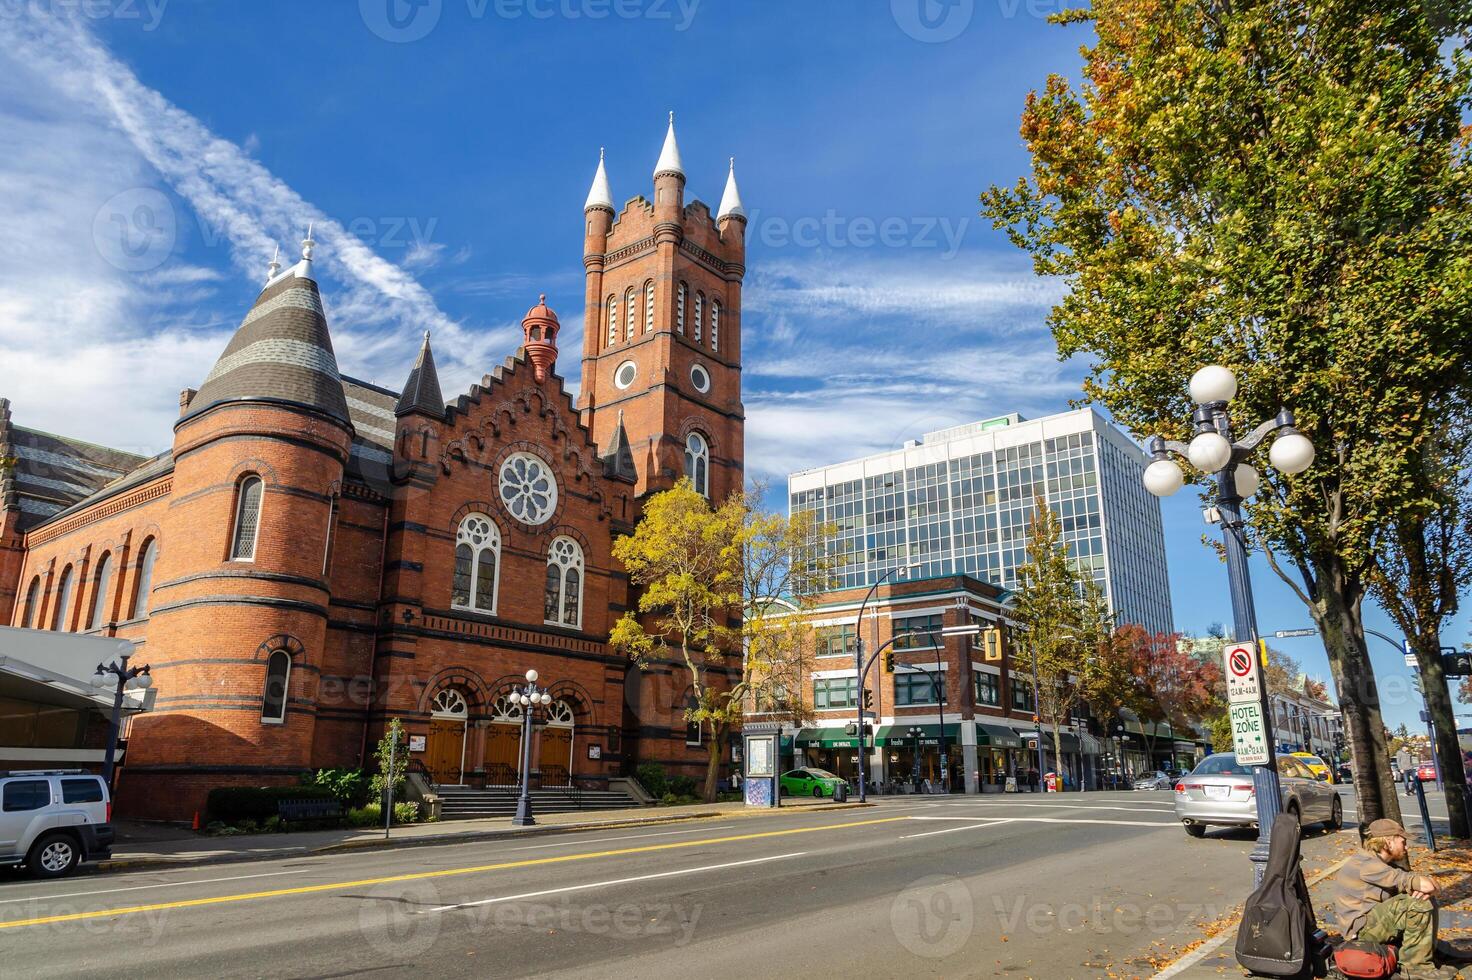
(1220, 792)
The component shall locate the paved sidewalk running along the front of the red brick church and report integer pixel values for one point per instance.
(152, 845)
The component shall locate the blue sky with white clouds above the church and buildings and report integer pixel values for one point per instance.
(444, 148)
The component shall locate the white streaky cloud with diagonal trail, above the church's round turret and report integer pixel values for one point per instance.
(71, 101)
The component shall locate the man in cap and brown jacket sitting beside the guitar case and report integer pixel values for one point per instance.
(1379, 900)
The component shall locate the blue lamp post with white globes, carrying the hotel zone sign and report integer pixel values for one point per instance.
(1214, 451)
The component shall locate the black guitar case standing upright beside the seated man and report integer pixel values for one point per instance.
(1277, 937)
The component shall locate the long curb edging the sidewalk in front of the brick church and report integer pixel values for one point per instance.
(451, 838)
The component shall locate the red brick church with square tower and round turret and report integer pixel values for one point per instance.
(317, 554)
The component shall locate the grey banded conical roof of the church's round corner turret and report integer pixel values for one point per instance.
(282, 352)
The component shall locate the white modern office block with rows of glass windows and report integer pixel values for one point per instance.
(959, 501)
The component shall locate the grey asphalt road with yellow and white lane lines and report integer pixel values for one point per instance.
(1075, 887)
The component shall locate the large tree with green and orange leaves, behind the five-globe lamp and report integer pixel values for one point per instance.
(1281, 189)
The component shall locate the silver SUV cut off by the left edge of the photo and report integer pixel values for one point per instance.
(52, 820)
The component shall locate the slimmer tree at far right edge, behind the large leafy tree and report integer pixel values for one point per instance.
(1424, 566)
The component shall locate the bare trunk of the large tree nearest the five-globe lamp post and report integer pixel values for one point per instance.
(1339, 619)
